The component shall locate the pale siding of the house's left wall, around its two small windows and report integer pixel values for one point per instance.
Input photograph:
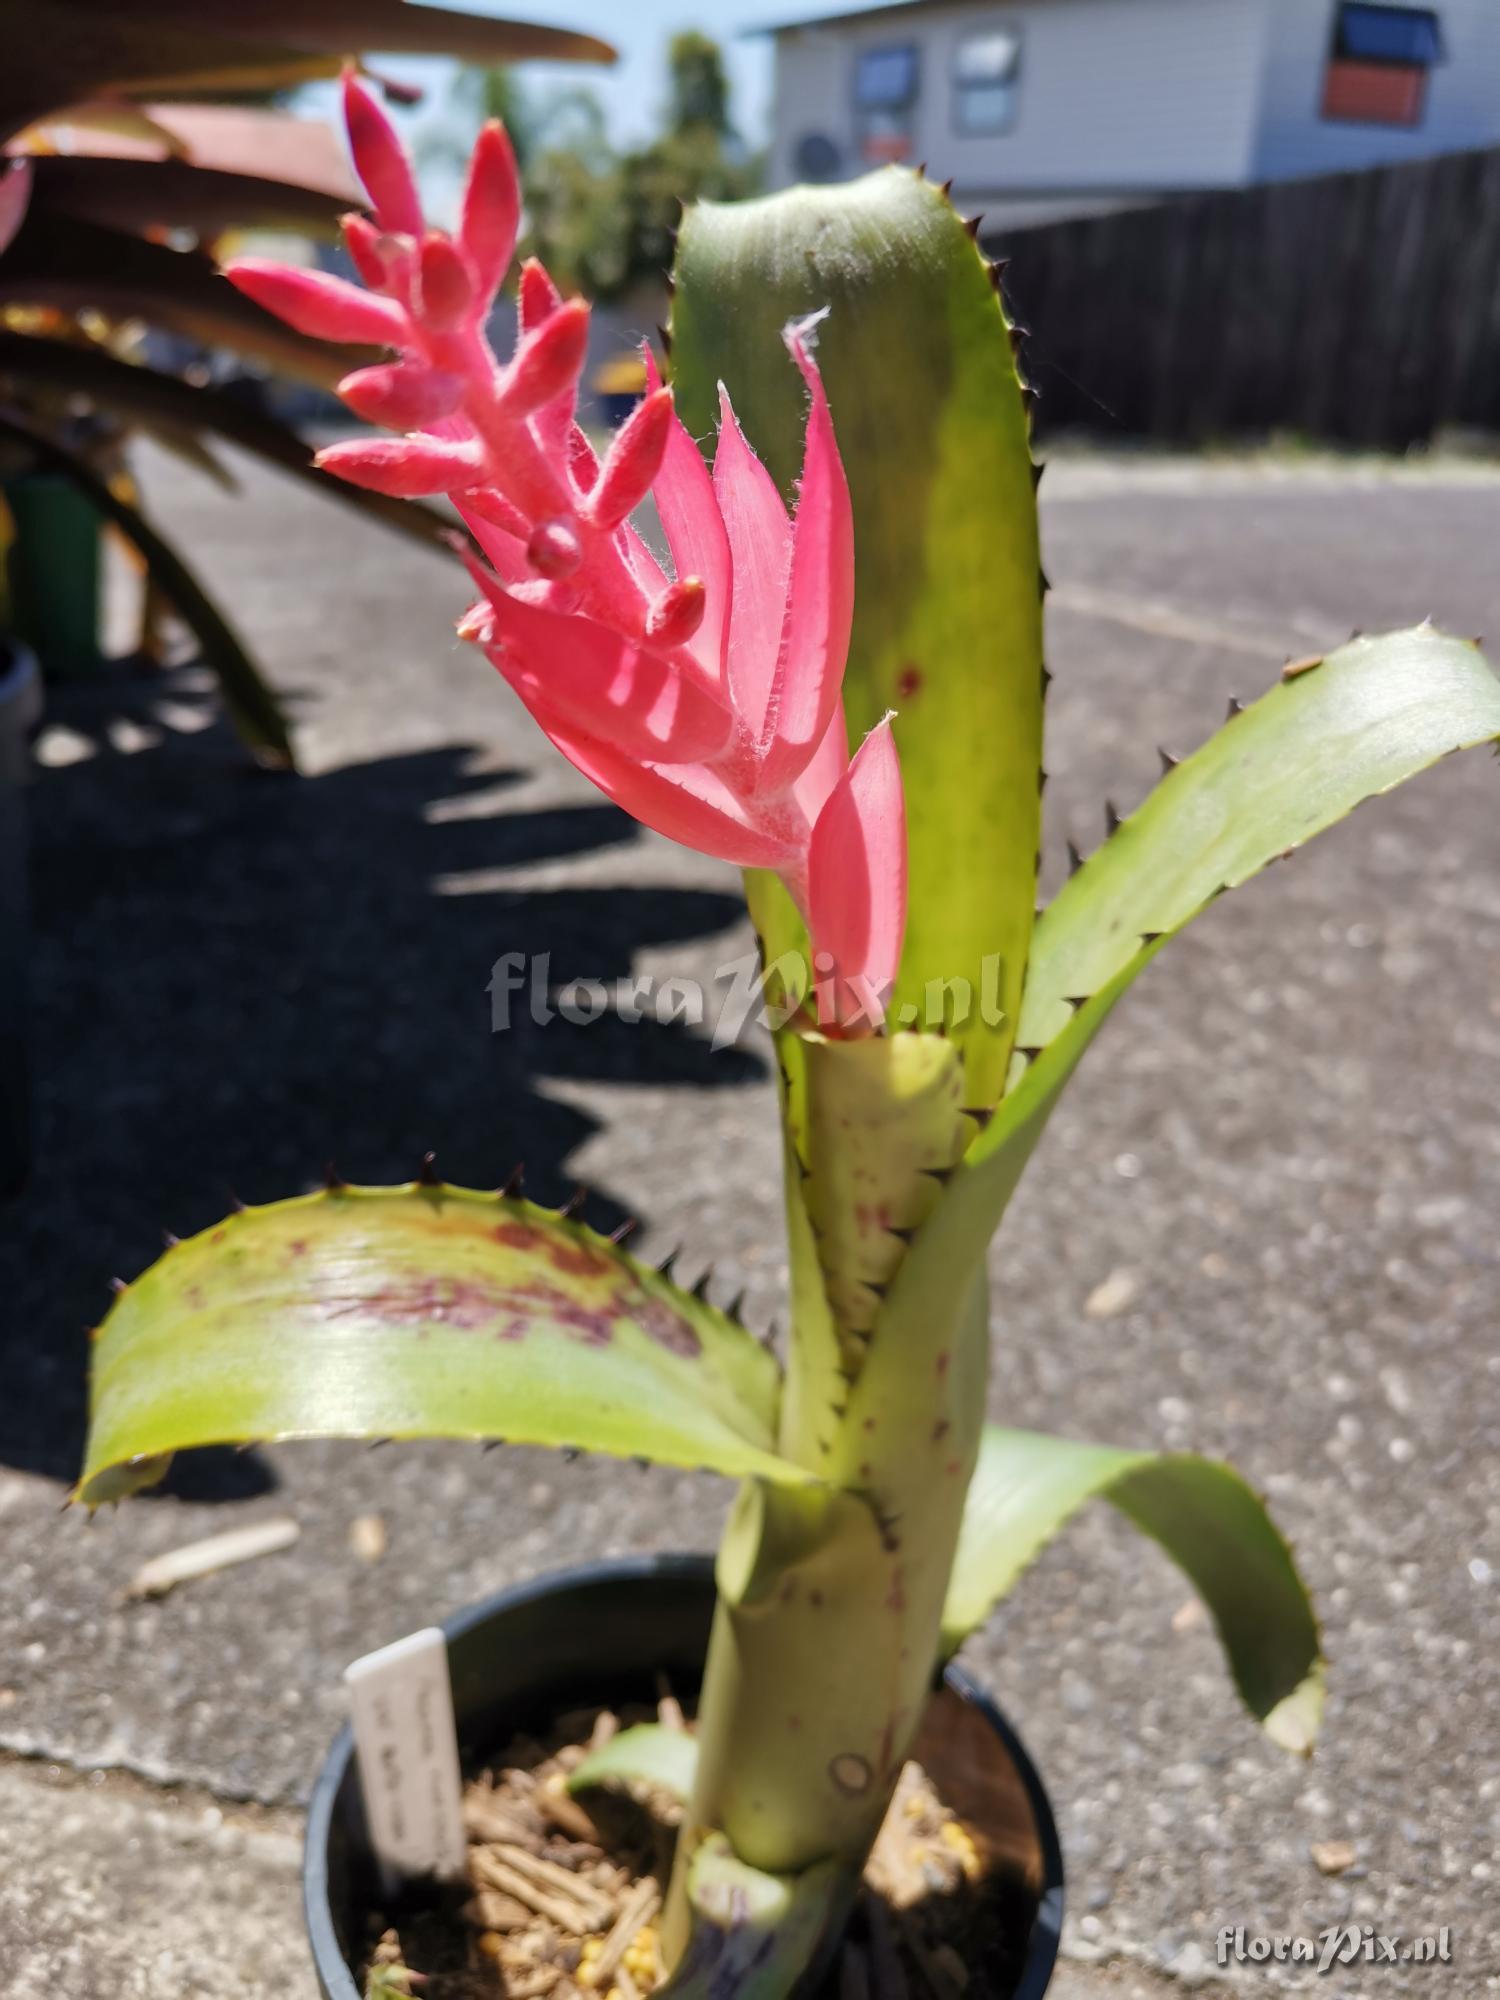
(1115, 97)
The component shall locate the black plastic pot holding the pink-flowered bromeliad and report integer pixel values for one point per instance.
(603, 1635)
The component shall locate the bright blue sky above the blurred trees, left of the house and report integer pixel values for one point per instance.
(633, 93)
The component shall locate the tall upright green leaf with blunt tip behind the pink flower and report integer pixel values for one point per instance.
(947, 617)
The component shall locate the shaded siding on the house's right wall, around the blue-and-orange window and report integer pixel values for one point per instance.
(1463, 105)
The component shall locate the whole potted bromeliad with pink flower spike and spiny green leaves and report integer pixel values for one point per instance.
(717, 699)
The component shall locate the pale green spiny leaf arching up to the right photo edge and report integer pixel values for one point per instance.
(1301, 759)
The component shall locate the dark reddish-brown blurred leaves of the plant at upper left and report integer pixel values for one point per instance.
(143, 139)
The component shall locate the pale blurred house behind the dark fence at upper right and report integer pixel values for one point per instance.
(1043, 109)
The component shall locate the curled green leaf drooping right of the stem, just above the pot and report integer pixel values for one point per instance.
(1027, 1487)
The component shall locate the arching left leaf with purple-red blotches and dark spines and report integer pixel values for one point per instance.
(419, 1313)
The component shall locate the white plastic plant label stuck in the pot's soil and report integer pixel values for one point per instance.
(409, 1757)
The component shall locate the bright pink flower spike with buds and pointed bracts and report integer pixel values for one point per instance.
(709, 701)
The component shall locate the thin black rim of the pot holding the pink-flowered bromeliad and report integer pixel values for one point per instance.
(323, 1937)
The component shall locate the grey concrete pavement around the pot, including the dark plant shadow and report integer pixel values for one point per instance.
(1263, 1225)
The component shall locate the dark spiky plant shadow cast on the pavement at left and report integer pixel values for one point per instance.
(239, 977)
